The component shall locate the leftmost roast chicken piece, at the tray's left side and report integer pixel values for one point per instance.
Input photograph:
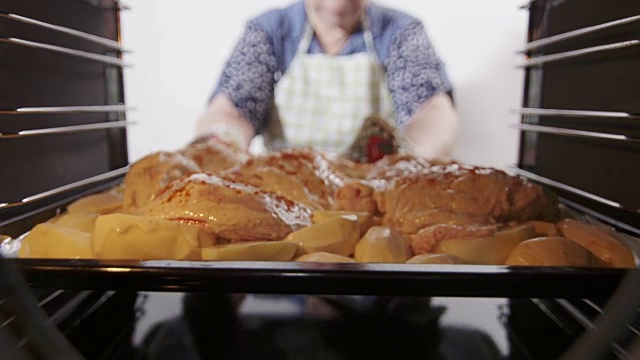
(149, 175)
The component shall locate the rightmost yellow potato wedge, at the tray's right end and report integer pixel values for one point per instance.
(604, 246)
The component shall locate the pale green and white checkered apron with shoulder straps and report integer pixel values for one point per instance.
(322, 100)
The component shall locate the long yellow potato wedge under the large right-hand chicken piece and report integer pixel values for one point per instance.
(488, 250)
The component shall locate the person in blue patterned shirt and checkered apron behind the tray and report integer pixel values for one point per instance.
(309, 74)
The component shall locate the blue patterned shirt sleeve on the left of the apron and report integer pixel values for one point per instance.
(249, 75)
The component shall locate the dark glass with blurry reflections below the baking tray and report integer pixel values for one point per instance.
(302, 327)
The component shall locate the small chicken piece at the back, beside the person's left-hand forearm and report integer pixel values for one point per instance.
(214, 156)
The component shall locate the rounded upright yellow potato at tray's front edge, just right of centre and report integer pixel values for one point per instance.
(383, 244)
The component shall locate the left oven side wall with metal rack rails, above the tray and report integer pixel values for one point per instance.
(69, 95)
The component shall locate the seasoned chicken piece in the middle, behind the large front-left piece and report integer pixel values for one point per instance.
(302, 175)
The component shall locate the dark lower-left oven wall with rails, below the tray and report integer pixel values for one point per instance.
(59, 324)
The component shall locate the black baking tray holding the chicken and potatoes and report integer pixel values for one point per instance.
(306, 277)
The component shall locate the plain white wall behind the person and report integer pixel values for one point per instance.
(179, 48)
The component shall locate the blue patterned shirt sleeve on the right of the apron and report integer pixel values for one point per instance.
(415, 73)
